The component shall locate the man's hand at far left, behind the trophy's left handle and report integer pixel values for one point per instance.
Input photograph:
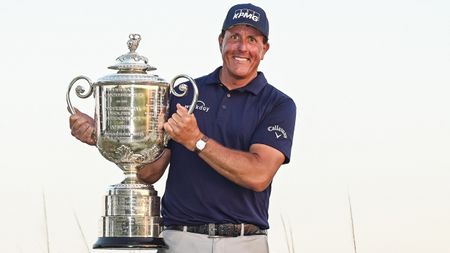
(82, 127)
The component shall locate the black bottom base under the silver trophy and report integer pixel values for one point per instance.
(130, 243)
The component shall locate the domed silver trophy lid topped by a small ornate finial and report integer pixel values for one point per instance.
(132, 66)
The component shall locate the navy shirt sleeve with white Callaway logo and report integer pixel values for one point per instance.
(277, 128)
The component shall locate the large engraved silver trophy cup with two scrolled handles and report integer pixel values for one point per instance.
(131, 107)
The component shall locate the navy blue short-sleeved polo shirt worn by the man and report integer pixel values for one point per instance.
(257, 113)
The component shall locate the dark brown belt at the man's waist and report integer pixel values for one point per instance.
(220, 230)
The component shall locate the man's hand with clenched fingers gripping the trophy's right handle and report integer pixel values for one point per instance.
(182, 127)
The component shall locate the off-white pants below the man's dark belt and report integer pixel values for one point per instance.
(186, 242)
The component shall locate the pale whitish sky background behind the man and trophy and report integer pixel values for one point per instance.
(371, 84)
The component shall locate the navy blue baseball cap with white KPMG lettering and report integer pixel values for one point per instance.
(247, 14)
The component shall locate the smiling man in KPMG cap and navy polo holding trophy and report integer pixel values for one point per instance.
(224, 156)
